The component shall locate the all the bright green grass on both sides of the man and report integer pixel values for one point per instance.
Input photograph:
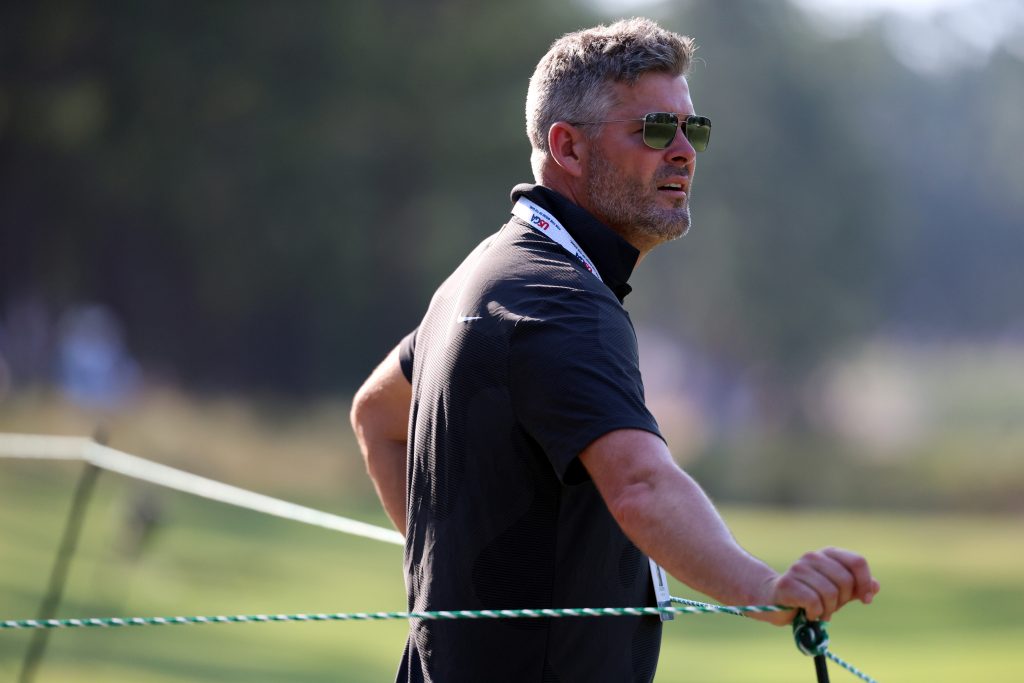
(953, 593)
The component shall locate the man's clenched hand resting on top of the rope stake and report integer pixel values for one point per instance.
(821, 583)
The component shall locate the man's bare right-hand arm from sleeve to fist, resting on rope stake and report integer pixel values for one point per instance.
(669, 518)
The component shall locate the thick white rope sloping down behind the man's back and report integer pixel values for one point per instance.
(73, 448)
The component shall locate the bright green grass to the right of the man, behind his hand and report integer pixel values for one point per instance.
(949, 611)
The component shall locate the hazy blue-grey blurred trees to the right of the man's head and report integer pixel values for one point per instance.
(834, 200)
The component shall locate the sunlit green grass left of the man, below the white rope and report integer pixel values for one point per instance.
(208, 559)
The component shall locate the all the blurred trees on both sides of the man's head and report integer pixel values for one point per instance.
(268, 195)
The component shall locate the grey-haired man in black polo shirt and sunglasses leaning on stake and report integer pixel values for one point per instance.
(535, 475)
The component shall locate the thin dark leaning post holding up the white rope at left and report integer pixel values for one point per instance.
(59, 575)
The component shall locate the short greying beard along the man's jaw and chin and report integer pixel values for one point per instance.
(630, 207)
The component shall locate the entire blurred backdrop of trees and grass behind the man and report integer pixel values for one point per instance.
(216, 219)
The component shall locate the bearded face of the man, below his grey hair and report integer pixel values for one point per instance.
(643, 193)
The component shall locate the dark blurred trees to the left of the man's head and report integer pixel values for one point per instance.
(263, 193)
